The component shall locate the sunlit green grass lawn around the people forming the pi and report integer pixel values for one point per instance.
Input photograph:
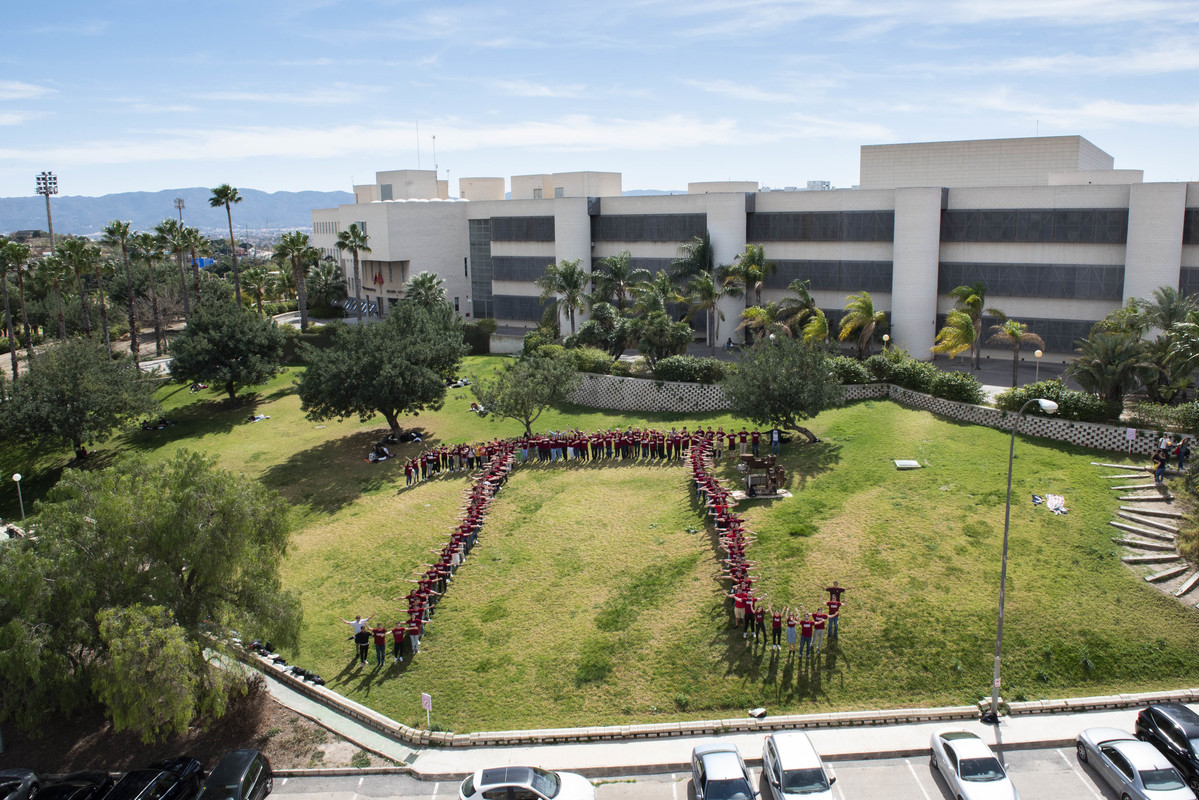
(588, 603)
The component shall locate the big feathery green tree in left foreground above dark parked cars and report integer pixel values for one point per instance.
(137, 580)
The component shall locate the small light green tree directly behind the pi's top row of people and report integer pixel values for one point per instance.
(525, 389)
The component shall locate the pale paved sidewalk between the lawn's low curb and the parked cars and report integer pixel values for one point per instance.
(655, 756)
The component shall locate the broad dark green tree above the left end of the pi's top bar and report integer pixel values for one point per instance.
(396, 368)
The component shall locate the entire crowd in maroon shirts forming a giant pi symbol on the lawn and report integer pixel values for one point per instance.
(496, 461)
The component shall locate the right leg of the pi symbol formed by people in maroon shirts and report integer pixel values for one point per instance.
(750, 612)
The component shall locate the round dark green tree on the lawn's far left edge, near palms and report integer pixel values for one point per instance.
(225, 345)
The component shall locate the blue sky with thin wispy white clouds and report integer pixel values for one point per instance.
(293, 95)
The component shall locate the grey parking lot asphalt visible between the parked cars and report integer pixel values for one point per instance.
(1038, 774)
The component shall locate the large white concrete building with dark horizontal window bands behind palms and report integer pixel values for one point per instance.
(1058, 236)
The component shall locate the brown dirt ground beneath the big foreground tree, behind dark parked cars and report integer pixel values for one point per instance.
(88, 742)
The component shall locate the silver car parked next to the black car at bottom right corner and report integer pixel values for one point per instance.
(1132, 768)
